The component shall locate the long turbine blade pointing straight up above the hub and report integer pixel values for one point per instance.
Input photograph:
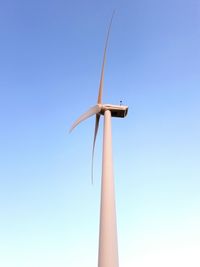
(99, 100)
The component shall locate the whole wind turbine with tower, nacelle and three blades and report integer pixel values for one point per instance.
(108, 245)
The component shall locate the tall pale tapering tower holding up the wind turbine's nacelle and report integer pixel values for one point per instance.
(108, 248)
